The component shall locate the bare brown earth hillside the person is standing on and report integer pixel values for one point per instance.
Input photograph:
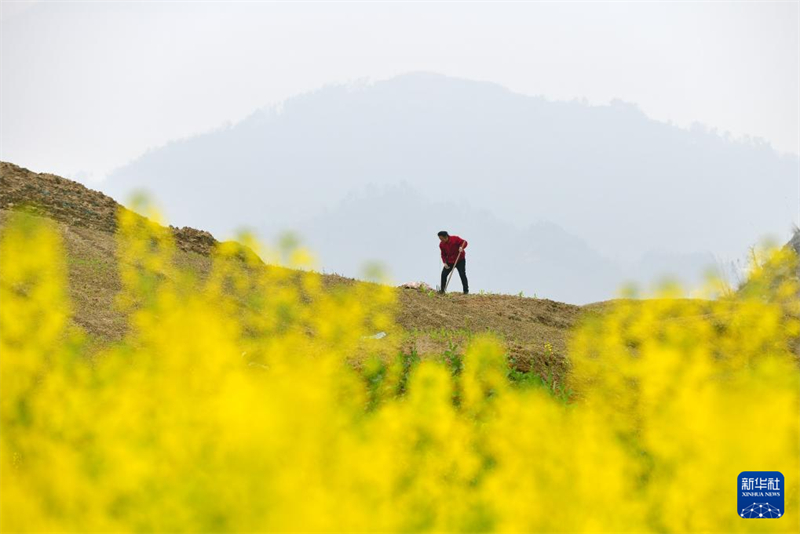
(432, 324)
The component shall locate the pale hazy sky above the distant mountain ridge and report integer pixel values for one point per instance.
(87, 86)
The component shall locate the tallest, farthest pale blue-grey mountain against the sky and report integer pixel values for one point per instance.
(623, 183)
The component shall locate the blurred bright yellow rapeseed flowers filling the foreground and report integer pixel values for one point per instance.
(235, 405)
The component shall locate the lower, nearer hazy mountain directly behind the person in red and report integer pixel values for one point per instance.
(542, 259)
